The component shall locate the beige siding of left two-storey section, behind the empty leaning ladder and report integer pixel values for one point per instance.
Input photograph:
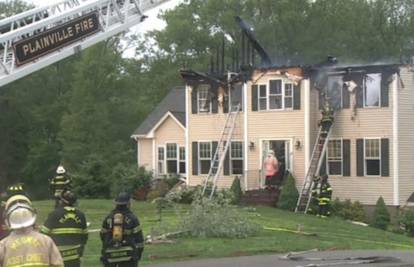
(209, 127)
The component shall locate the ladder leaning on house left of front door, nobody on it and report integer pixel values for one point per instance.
(217, 161)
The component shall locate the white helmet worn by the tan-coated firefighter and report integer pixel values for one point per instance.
(19, 212)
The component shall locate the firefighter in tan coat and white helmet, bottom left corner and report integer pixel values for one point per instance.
(24, 246)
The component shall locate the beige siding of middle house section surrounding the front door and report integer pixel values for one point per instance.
(274, 125)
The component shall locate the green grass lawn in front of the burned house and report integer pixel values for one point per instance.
(331, 234)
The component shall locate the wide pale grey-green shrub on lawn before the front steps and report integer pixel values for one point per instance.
(217, 218)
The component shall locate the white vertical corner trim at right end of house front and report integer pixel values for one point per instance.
(395, 143)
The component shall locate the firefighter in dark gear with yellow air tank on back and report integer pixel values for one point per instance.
(121, 235)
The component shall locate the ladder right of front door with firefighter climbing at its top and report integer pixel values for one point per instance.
(318, 155)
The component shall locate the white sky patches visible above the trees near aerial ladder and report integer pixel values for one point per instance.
(151, 23)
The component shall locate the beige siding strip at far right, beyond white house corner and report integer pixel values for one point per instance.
(406, 135)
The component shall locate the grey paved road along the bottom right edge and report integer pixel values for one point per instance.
(403, 259)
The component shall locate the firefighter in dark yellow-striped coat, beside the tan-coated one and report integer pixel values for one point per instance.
(66, 225)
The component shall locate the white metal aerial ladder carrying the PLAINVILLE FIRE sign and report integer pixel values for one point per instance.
(115, 16)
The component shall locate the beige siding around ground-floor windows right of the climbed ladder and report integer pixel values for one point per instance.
(369, 122)
